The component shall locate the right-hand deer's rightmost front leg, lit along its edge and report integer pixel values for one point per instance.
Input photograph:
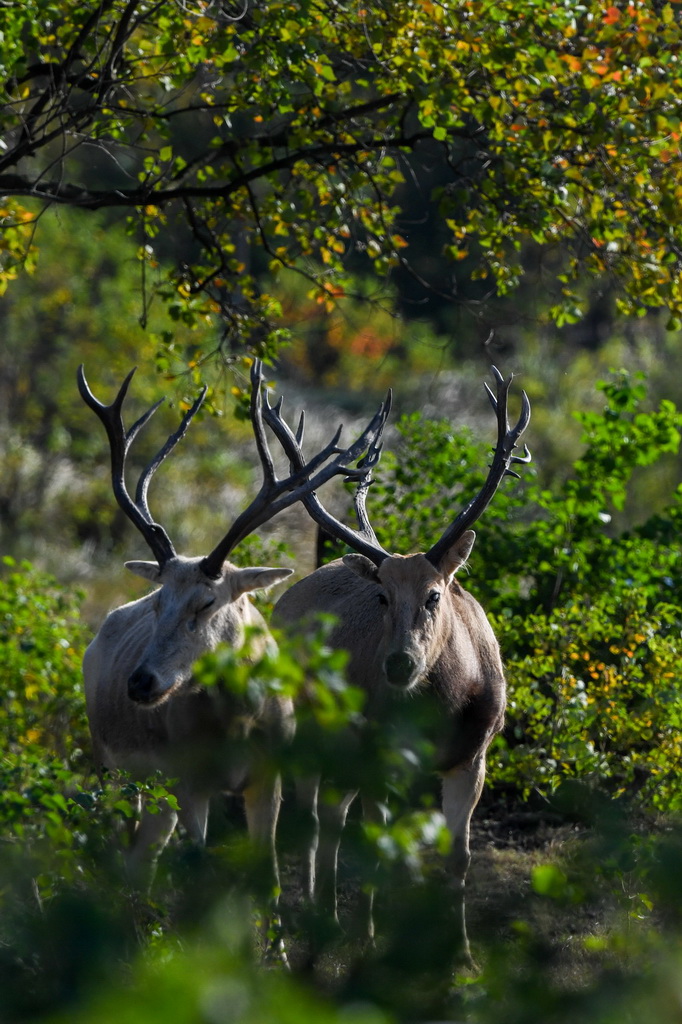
(461, 791)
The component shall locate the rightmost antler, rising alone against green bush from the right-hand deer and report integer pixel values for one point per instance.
(502, 459)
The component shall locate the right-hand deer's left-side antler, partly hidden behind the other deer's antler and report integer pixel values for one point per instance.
(363, 541)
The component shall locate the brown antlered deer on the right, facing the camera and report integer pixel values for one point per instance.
(413, 634)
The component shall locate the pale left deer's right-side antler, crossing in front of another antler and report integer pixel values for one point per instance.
(277, 495)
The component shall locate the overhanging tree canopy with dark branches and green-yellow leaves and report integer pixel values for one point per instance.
(289, 135)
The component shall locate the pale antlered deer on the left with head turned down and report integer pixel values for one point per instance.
(145, 709)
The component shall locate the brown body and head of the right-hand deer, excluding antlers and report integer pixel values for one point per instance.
(437, 655)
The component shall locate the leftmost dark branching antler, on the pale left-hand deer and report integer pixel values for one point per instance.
(120, 442)
